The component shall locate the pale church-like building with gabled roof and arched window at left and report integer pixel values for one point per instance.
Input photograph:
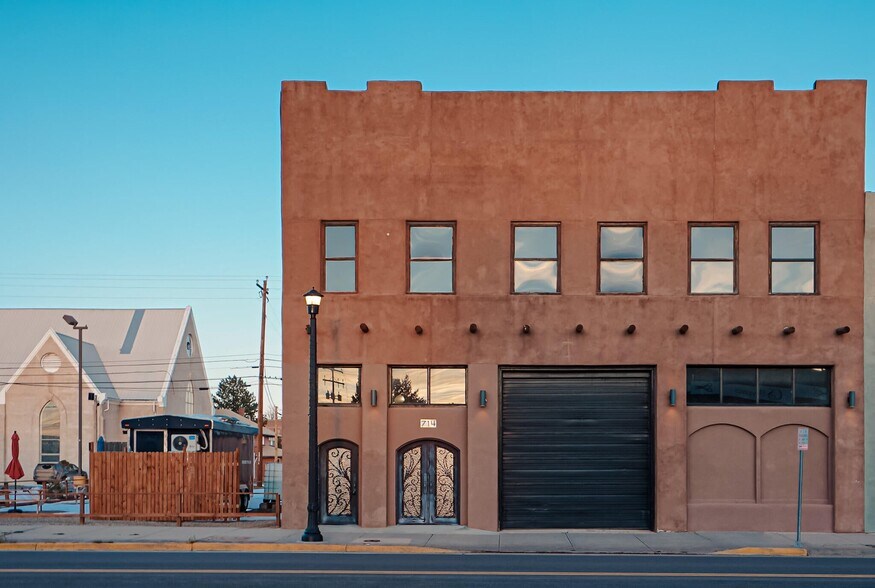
(135, 362)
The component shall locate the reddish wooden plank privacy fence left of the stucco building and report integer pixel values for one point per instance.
(165, 486)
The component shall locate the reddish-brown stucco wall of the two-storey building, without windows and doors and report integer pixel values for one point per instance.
(744, 154)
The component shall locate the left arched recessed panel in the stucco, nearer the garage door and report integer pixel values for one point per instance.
(721, 464)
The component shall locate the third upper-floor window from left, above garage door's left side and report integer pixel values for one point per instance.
(536, 259)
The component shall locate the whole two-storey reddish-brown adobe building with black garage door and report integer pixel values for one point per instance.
(576, 309)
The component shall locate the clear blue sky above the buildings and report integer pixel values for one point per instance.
(139, 141)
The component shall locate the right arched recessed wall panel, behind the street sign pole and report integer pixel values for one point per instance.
(780, 460)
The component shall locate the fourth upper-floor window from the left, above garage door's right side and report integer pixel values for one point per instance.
(621, 258)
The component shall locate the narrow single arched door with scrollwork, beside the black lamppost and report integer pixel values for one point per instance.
(338, 472)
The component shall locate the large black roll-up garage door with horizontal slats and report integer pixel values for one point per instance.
(576, 449)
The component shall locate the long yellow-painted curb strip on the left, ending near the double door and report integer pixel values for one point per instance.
(200, 547)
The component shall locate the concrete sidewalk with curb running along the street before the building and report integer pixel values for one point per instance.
(39, 534)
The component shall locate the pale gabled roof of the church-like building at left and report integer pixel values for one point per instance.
(128, 354)
